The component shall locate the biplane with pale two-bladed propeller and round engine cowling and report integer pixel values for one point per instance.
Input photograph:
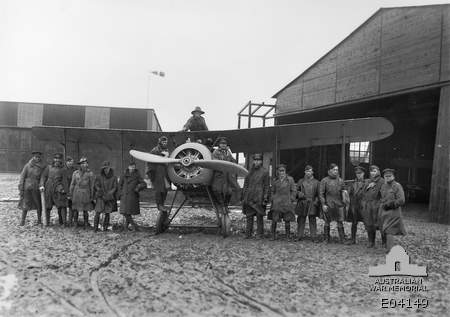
(190, 167)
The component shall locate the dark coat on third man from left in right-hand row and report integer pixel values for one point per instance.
(308, 197)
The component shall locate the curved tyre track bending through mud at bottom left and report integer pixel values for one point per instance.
(95, 272)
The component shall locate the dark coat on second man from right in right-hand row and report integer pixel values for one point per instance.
(370, 202)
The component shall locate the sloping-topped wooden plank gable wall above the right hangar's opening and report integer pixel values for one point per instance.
(396, 49)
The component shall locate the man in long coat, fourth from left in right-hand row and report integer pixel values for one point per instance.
(331, 193)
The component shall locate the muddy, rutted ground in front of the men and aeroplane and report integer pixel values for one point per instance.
(74, 272)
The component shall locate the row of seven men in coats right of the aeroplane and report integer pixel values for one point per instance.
(375, 201)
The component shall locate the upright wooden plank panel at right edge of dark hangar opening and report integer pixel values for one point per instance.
(440, 191)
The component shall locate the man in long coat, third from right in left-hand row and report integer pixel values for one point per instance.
(82, 191)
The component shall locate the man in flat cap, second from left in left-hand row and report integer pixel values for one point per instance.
(53, 184)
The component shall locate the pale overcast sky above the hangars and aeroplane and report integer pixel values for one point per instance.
(216, 54)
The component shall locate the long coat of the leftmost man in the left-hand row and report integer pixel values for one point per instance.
(29, 186)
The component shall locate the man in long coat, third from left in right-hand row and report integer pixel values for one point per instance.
(308, 204)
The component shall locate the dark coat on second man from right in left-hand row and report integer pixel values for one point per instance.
(105, 192)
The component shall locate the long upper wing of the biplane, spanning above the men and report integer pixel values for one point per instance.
(241, 140)
